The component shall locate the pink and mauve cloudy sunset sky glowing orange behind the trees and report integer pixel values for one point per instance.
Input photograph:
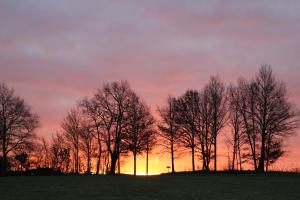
(54, 52)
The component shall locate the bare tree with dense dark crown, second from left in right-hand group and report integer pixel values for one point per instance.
(187, 109)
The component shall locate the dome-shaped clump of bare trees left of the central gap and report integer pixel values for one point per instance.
(111, 124)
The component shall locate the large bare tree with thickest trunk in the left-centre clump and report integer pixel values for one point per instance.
(114, 99)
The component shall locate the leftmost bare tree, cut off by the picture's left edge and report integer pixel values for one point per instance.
(17, 123)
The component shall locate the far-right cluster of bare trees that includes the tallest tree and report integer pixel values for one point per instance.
(261, 118)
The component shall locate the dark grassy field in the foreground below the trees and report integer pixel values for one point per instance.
(180, 186)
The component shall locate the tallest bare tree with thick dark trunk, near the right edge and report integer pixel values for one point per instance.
(276, 116)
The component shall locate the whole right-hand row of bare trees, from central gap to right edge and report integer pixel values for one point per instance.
(257, 111)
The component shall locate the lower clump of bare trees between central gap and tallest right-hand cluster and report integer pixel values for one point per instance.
(194, 121)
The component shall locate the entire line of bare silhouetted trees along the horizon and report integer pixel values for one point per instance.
(103, 130)
